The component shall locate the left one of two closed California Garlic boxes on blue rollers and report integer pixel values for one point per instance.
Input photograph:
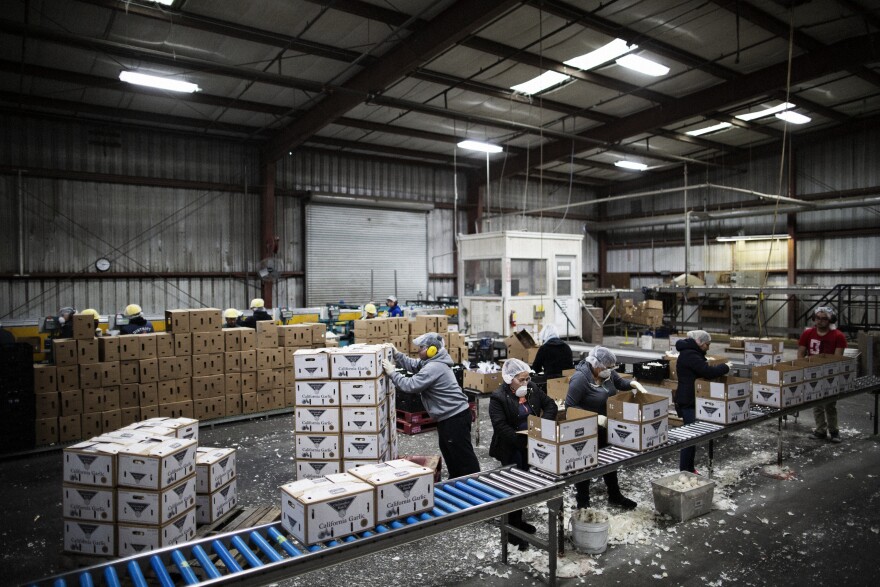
(327, 511)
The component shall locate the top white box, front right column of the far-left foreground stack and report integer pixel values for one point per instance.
(157, 465)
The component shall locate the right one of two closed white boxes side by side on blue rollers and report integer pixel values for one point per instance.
(402, 488)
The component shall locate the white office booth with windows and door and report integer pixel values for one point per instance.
(528, 278)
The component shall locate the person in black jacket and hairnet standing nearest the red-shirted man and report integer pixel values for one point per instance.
(690, 366)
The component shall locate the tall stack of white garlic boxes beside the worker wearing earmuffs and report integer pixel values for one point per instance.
(344, 413)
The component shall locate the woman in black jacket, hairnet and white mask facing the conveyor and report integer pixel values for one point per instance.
(509, 409)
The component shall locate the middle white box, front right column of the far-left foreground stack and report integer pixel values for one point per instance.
(138, 506)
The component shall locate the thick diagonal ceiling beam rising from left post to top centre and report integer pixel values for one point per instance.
(449, 27)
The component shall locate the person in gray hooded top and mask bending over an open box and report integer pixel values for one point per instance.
(594, 381)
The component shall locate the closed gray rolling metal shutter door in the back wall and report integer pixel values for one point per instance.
(344, 243)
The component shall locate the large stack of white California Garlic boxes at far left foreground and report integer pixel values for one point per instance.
(131, 490)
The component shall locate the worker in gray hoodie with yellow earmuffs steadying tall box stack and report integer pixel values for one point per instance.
(443, 399)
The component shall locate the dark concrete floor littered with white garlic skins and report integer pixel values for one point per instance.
(815, 521)
